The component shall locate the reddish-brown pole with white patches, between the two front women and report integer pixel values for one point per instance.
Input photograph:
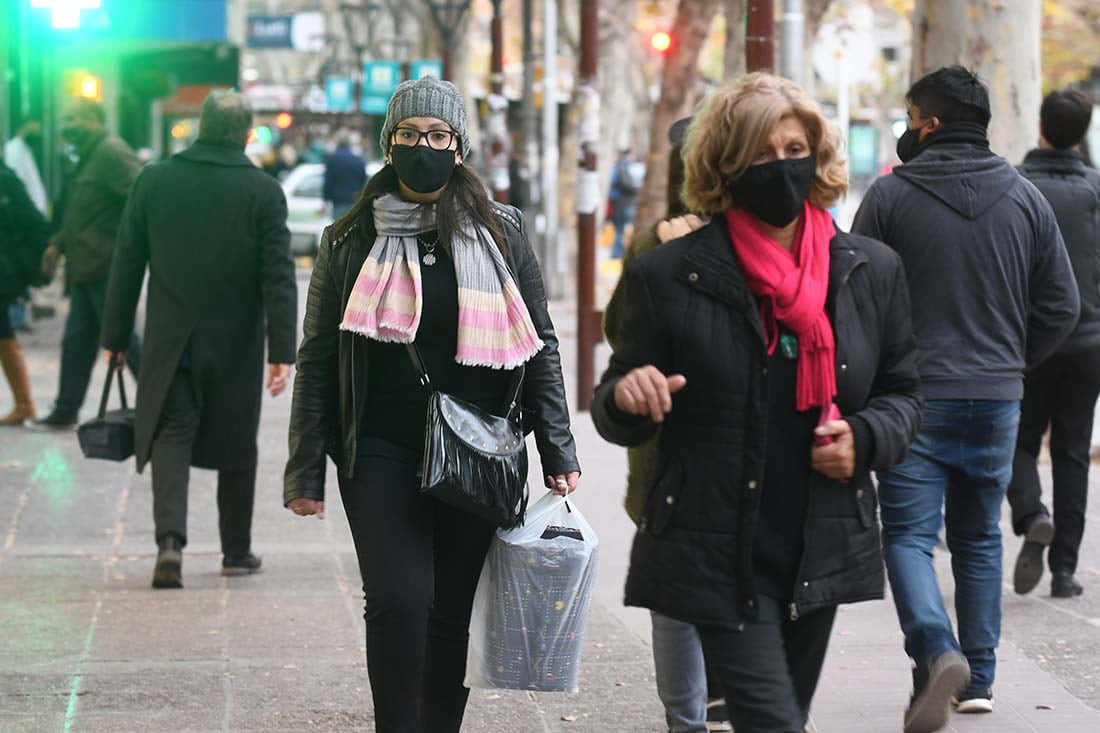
(588, 203)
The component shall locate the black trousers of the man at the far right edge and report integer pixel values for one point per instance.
(1061, 395)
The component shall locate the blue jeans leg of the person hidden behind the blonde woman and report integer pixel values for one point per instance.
(681, 674)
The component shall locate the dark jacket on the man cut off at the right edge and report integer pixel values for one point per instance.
(1074, 192)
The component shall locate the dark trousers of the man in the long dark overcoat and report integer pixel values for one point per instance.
(172, 466)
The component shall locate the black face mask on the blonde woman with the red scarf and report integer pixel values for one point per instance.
(776, 192)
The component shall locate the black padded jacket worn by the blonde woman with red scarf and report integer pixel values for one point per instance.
(689, 312)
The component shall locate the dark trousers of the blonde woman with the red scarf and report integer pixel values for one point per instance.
(769, 670)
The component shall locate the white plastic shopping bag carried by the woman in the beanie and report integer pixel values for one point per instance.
(533, 603)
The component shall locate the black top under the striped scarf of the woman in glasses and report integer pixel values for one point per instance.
(398, 403)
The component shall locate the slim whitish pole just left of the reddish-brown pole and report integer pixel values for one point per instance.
(551, 154)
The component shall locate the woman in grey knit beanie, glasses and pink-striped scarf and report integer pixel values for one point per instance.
(422, 258)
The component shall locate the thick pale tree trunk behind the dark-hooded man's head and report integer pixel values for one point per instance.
(1000, 42)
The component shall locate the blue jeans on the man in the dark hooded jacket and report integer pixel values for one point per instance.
(958, 471)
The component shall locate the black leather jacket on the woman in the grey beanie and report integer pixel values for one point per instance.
(331, 392)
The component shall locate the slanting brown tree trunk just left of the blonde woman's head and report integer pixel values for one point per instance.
(678, 96)
